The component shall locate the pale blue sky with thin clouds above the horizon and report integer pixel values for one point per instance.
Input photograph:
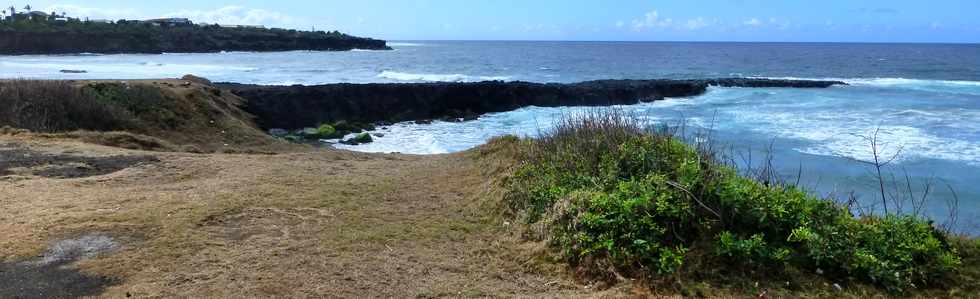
(951, 21)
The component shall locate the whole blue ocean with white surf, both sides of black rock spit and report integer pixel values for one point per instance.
(924, 99)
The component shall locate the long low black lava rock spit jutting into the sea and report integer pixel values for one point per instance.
(297, 106)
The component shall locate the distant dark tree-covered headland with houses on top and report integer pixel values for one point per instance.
(35, 32)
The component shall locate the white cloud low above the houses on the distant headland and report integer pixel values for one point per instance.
(236, 15)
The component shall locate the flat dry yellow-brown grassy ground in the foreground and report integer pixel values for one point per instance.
(317, 224)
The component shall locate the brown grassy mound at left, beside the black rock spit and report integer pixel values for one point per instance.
(170, 115)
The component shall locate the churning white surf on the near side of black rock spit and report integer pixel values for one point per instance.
(826, 133)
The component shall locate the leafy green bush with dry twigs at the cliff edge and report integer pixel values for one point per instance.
(617, 197)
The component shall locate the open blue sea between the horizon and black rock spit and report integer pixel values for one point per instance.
(529, 61)
